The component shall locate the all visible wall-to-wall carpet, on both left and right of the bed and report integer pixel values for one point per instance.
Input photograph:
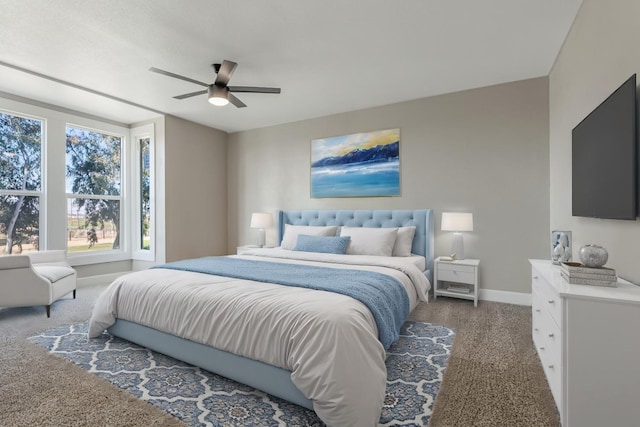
(494, 377)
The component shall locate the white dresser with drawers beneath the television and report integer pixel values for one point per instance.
(588, 340)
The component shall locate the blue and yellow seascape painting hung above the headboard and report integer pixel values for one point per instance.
(364, 164)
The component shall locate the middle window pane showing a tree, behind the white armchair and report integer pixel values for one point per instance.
(94, 190)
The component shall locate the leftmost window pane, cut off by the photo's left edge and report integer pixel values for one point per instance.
(20, 183)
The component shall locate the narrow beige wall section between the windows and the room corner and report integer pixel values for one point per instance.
(195, 190)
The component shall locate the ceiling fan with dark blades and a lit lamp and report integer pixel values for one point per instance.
(219, 92)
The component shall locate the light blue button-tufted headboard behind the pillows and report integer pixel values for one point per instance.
(423, 242)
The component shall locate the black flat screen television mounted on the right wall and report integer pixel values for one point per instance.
(605, 158)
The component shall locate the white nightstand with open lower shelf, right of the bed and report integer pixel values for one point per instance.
(457, 279)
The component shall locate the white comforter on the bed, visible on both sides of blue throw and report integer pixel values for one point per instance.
(328, 341)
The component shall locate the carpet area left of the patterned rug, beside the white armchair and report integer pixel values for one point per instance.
(37, 389)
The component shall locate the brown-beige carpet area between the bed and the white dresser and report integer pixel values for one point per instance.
(494, 377)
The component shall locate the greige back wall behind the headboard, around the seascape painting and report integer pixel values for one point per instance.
(483, 151)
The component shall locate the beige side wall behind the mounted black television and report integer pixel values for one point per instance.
(601, 51)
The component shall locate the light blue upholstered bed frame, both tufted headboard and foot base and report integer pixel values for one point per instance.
(270, 379)
